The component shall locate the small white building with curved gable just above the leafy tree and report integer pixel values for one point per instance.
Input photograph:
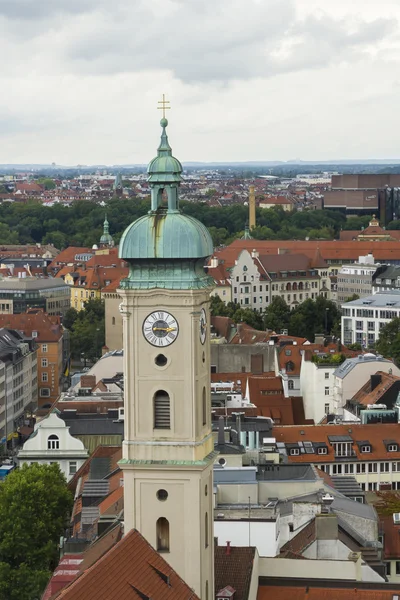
(50, 443)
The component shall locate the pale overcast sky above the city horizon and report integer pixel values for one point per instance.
(247, 79)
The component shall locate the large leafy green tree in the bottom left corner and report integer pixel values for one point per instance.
(34, 506)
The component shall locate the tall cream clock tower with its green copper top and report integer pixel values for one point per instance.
(168, 451)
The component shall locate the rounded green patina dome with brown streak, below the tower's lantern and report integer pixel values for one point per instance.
(166, 235)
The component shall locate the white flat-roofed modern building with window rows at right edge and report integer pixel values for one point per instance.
(363, 318)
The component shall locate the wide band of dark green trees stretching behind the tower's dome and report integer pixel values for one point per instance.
(81, 224)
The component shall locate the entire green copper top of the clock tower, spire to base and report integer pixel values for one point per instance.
(165, 248)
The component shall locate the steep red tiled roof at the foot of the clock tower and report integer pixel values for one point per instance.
(130, 570)
